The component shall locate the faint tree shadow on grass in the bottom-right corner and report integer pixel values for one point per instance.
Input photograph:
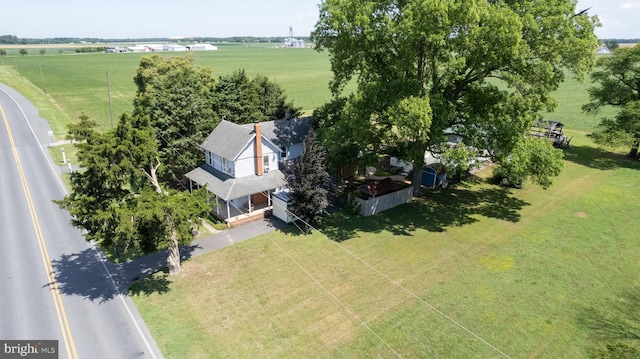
(619, 321)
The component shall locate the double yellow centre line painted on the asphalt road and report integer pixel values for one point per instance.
(46, 260)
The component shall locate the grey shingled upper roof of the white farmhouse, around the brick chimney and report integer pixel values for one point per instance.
(229, 139)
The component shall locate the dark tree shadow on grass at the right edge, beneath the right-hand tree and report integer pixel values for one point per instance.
(596, 158)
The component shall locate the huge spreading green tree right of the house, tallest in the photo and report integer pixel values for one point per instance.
(482, 69)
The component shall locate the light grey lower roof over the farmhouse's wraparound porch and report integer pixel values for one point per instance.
(228, 188)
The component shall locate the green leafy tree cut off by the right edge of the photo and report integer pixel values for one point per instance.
(618, 84)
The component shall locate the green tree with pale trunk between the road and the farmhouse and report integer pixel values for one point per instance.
(118, 199)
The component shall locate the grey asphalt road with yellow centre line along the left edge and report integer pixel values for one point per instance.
(54, 285)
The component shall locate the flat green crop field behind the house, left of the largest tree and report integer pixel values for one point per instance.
(77, 83)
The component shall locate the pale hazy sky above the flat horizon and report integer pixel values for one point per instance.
(122, 19)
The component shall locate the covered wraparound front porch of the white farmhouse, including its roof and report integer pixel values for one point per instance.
(237, 200)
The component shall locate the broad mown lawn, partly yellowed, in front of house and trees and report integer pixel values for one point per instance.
(529, 273)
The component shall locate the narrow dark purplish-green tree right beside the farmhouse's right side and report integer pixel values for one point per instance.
(308, 181)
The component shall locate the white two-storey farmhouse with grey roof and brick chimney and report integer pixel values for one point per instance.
(243, 165)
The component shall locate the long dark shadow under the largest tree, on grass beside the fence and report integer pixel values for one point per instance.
(436, 211)
